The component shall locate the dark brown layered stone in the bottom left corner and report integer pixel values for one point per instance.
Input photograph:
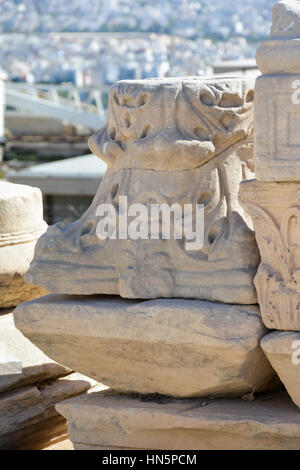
(28, 415)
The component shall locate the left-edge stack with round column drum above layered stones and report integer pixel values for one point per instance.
(30, 383)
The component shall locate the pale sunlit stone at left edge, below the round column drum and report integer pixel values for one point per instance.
(22, 363)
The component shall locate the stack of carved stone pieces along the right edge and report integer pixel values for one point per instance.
(273, 199)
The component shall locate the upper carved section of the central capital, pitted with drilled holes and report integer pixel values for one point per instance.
(173, 124)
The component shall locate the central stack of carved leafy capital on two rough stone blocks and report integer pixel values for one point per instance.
(167, 329)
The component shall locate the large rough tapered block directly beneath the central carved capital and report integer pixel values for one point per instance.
(177, 347)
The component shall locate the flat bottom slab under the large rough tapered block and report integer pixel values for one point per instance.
(106, 420)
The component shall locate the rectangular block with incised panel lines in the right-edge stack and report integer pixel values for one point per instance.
(277, 122)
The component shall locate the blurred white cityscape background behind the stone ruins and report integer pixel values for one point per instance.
(58, 59)
